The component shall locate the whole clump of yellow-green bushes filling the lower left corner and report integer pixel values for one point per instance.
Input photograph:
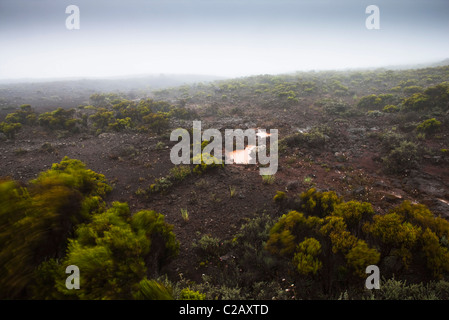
(61, 219)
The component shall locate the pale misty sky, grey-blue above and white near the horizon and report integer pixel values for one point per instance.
(228, 38)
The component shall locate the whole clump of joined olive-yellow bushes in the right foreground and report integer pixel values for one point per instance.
(332, 239)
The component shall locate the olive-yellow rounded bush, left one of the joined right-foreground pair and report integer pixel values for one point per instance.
(321, 246)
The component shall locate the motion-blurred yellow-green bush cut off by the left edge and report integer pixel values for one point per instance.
(36, 221)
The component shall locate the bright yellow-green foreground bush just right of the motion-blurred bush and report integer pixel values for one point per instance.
(116, 251)
